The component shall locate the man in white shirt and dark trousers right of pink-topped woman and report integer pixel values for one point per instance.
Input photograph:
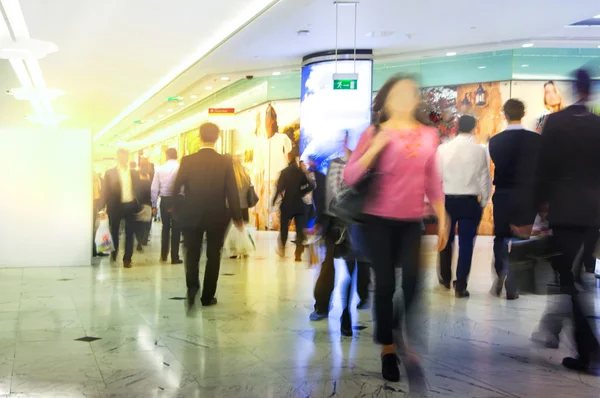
(466, 176)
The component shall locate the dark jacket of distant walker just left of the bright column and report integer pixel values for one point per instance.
(293, 184)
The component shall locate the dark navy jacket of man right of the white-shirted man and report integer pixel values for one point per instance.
(515, 153)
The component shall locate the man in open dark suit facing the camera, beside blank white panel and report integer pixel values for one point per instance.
(120, 193)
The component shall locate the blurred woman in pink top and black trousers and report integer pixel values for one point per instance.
(402, 153)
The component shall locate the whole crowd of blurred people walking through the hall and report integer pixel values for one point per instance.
(367, 210)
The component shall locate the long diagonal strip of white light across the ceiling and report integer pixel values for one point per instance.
(232, 26)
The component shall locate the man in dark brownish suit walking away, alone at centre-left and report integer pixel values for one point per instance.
(210, 200)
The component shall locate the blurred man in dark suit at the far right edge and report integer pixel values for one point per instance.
(567, 186)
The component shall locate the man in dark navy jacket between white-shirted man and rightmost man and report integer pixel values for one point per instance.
(514, 152)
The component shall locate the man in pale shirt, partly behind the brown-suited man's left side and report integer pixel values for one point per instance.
(162, 187)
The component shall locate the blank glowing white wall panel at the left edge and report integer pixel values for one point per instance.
(46, 197)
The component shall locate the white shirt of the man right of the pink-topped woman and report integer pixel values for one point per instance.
(465, 168)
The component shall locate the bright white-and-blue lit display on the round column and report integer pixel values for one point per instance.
(329, 114)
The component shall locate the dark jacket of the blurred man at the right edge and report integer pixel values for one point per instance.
(568, 175)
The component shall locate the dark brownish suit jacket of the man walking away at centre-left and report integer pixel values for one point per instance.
(211, 195)
